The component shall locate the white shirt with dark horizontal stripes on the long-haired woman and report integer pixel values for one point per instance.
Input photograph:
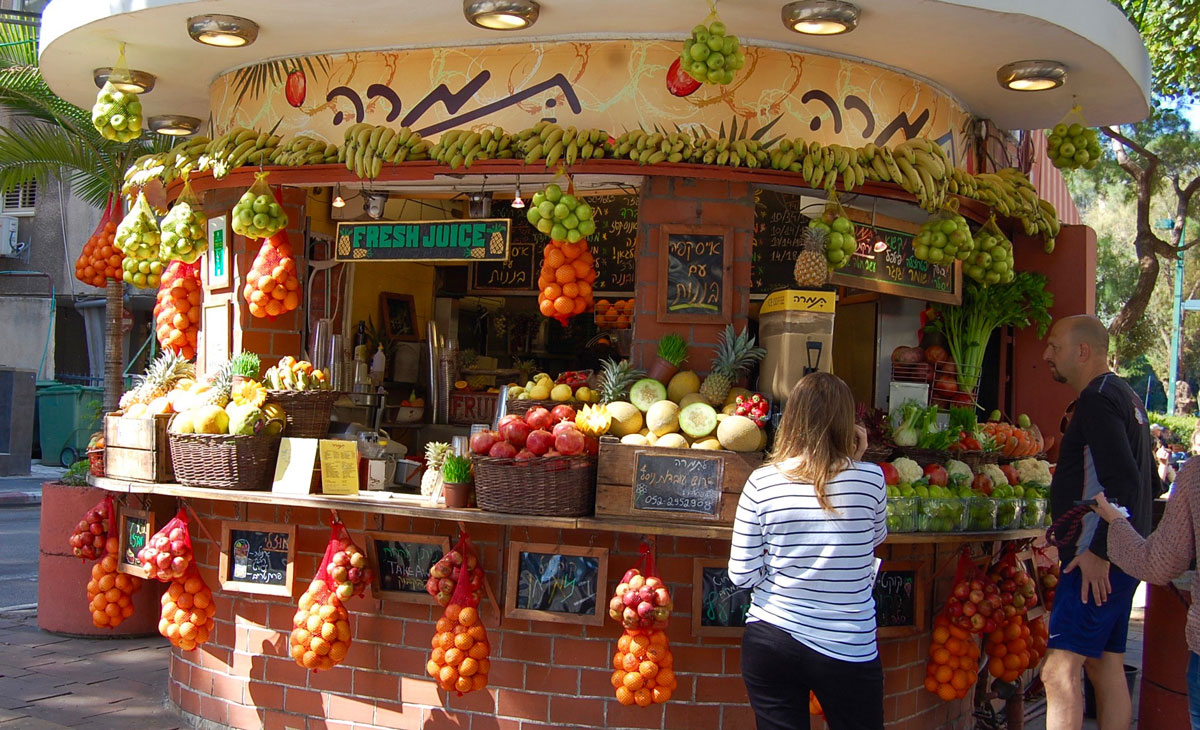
(813, 571)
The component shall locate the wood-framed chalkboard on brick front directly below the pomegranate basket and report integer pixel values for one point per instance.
(565, 584)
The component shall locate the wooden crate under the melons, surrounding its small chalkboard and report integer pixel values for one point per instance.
(615, 482)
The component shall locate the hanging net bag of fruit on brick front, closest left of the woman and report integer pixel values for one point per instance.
(644, 668)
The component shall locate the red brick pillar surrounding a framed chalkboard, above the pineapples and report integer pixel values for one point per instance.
(682, 201)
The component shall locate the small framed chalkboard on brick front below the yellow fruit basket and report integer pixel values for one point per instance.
(257, 558)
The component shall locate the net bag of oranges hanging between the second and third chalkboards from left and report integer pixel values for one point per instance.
(321, 629)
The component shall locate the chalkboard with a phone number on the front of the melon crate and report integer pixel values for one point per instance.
(673, 483)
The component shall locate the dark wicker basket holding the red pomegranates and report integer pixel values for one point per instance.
(562, 487)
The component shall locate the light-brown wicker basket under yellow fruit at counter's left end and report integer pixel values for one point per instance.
(224, 462)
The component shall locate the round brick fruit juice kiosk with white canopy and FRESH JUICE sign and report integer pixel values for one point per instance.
(653, 222)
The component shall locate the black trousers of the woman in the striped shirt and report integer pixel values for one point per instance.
(779, 672)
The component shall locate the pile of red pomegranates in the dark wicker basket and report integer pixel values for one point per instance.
(542, 433)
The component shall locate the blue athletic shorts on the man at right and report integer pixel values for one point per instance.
(1089, 630)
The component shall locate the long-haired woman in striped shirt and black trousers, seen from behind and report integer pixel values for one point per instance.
(805, 540)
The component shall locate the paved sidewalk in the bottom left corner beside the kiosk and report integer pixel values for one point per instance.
(50, 683)
